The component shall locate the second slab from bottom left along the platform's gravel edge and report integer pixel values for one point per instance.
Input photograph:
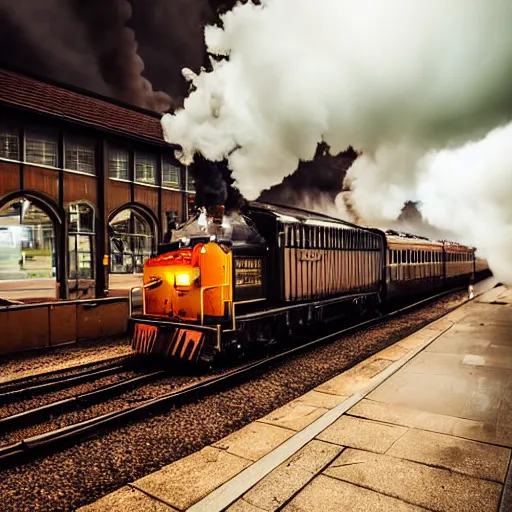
(188, 480)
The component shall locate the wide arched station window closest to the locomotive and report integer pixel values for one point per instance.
(131, 242)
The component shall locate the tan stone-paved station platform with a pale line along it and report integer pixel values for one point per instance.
(425, 424)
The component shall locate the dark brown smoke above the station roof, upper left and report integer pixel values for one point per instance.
(84, 43)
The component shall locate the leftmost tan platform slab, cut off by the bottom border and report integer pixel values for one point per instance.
(127, 499)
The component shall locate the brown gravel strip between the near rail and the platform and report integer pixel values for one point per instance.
(86, 472)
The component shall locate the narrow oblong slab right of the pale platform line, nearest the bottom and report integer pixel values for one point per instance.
(291, 476)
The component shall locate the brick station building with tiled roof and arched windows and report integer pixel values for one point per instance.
(87, 188)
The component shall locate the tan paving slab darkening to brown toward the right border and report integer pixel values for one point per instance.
(468, 457)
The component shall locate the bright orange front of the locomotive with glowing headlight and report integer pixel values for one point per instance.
(187, 295)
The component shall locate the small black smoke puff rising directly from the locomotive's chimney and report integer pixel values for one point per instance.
(215, 185)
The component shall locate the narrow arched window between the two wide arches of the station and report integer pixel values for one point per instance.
(81, 241)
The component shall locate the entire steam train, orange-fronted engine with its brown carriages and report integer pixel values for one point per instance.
(235, 282)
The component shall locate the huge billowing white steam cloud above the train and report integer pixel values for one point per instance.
(397, 80)
